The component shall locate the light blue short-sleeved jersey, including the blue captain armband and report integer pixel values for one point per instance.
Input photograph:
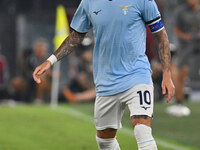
(119, 59)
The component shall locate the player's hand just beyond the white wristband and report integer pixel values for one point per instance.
(40, 70)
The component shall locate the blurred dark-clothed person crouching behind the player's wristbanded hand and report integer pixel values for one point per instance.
(29, 60)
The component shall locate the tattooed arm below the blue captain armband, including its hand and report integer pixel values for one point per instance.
(162, 44)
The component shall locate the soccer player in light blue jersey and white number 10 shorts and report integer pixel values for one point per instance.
(122, 73)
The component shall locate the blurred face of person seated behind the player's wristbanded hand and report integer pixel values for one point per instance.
(40, 49)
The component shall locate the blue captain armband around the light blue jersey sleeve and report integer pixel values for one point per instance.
(156, 26)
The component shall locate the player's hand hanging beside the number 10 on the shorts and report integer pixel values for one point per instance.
(167, 85)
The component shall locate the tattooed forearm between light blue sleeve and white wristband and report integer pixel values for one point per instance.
(69, 44)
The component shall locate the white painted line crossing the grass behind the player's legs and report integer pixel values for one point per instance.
(129, 132)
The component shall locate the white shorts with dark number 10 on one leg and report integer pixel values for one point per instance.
(109, 109)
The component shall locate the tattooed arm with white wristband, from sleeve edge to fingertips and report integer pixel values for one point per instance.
(68, 45)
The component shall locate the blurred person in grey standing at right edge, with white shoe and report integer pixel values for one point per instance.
(187, 29)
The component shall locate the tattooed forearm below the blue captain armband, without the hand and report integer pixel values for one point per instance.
(163, 47)
